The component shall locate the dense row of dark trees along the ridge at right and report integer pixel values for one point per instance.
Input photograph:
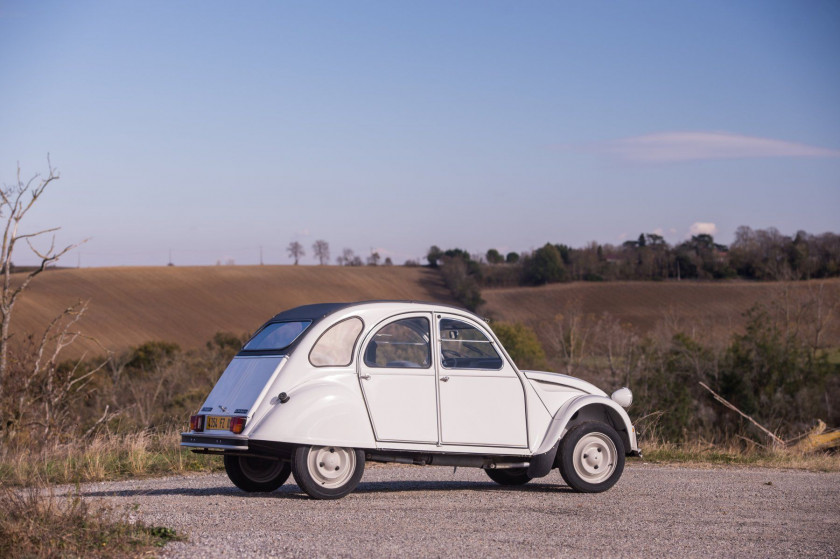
(755, 254)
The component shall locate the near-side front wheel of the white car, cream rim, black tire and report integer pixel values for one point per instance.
(591, 457)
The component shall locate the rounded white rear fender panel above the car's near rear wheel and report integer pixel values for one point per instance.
(326, 411)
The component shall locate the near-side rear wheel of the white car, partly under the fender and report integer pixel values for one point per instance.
(327, 472)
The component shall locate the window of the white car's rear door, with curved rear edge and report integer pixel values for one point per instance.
(403, 344)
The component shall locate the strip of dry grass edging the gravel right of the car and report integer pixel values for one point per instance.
(704, 454)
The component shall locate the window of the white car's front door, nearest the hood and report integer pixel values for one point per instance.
(464, 346)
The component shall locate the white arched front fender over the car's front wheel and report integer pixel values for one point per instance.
(590, 407)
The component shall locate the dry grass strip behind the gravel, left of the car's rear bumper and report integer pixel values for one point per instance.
(106, 457)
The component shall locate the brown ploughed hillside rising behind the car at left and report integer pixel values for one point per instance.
(187, 305)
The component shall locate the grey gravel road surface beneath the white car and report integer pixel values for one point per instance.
(654, 511)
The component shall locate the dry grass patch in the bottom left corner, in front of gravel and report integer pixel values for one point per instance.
(36, 523)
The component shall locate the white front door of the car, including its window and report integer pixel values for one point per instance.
(482, 400)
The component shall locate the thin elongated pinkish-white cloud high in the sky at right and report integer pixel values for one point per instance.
(667, 147)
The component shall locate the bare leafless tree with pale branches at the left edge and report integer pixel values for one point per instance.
(15, 202)
